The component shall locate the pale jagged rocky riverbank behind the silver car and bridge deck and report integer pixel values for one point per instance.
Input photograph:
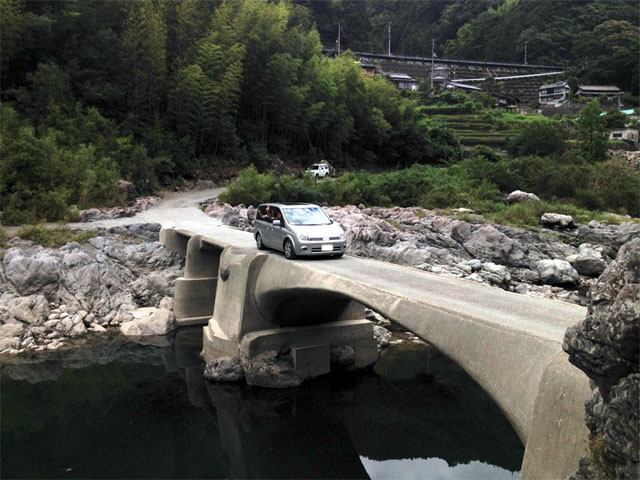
(560, 261)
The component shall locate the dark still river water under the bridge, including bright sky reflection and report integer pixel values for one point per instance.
(416, 416)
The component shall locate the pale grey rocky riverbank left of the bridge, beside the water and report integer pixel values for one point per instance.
(49, 296)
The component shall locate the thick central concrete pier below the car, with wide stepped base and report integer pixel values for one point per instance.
(246, 324)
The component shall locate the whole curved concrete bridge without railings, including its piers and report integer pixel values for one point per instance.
(510, 344)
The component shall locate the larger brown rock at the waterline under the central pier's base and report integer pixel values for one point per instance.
(270, 369)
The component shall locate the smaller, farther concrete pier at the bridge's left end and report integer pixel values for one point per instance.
(194, 295)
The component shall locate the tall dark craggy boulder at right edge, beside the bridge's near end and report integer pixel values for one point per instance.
(606, 346)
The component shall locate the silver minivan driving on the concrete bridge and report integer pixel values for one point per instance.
(298, 229)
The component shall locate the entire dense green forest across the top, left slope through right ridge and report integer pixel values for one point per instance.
(152, 90)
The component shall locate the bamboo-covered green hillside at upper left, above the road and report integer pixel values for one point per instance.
(151, 89)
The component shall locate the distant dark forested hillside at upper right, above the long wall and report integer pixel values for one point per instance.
(596, 39)
